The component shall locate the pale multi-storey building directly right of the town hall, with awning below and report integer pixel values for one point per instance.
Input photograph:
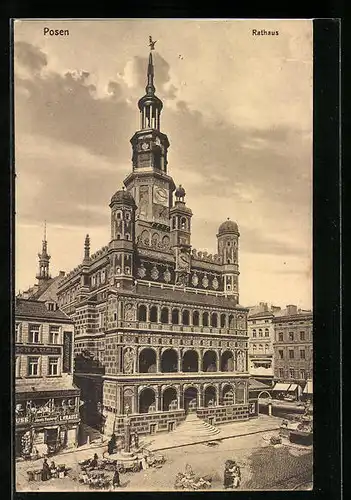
(261, 339)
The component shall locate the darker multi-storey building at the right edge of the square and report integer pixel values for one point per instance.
(293, 347)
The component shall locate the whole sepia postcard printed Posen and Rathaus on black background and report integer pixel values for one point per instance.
(163, 314)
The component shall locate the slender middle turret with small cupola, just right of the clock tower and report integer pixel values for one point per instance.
(180, 216)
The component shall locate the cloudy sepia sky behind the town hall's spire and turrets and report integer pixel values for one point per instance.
(238, 114)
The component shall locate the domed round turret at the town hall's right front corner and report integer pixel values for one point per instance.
(228, 249)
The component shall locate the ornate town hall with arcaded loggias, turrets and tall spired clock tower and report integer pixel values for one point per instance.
(159, 328)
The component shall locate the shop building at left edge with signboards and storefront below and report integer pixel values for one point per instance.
(47, 402)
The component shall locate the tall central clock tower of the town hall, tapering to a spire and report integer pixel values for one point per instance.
(149, 183)
